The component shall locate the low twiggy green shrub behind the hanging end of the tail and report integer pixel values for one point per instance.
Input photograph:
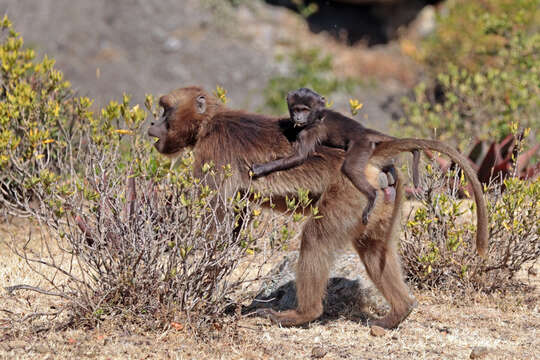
(437, 248)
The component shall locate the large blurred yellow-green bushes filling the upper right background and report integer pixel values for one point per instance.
(486, 55)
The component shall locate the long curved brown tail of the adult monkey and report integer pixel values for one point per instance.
(391, 148)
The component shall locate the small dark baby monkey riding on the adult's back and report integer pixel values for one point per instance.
(319, 125)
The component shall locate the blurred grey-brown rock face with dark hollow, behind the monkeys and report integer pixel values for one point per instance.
(106, 48)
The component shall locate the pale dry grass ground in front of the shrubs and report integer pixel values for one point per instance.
(442, 326)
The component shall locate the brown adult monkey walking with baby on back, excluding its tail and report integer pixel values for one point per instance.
(193, 118)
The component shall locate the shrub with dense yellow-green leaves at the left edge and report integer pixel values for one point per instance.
(38, 119)
